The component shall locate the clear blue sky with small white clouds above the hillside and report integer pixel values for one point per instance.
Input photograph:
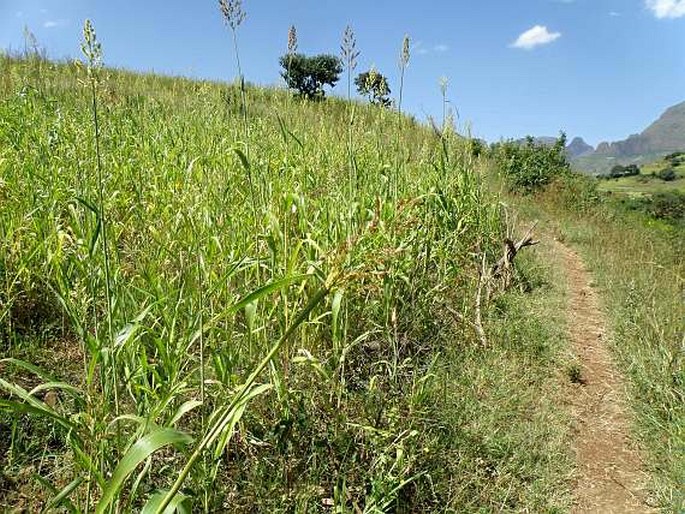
(601, 69)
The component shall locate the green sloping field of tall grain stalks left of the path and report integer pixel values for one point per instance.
(271, 317)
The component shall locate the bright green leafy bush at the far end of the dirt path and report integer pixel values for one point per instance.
(530, 166)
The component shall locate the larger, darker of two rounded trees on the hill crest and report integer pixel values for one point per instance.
(309, 75)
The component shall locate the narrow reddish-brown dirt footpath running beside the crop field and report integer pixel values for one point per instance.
(609, 474)
